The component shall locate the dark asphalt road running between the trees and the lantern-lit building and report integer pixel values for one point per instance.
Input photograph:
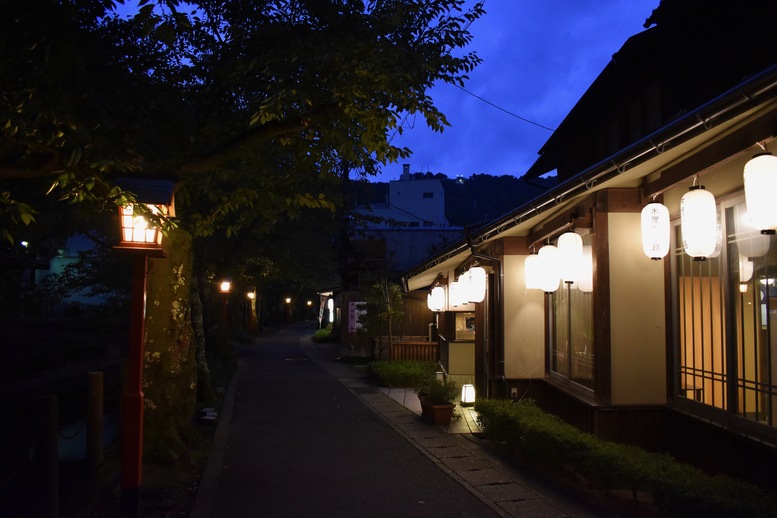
(301, 444)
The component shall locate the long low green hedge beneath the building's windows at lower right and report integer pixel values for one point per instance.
(677, 489)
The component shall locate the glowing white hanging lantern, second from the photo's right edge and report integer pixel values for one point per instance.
(698, 217)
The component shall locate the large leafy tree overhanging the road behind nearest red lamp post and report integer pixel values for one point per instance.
(253, 106)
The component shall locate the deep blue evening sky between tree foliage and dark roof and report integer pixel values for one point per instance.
(539, 57)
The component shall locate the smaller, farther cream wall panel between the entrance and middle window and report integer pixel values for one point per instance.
(524, 323)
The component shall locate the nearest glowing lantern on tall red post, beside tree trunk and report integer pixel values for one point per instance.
(141, 237)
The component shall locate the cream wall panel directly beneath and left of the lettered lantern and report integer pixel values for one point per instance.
(638, 335)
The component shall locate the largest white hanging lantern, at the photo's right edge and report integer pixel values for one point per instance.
(760, 186)
